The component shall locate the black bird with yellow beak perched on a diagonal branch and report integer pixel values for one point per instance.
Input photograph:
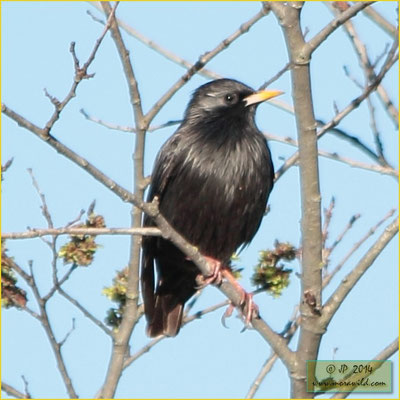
(212, 179)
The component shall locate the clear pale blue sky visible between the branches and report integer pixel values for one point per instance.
(205, 360)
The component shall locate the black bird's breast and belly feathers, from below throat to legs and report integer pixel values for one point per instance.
(217, 195)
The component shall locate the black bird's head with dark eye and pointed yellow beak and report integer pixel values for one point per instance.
(224, 98)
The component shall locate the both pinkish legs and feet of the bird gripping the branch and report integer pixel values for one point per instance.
(220, 272)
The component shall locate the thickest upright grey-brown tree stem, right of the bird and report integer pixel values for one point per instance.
(311, 282)
